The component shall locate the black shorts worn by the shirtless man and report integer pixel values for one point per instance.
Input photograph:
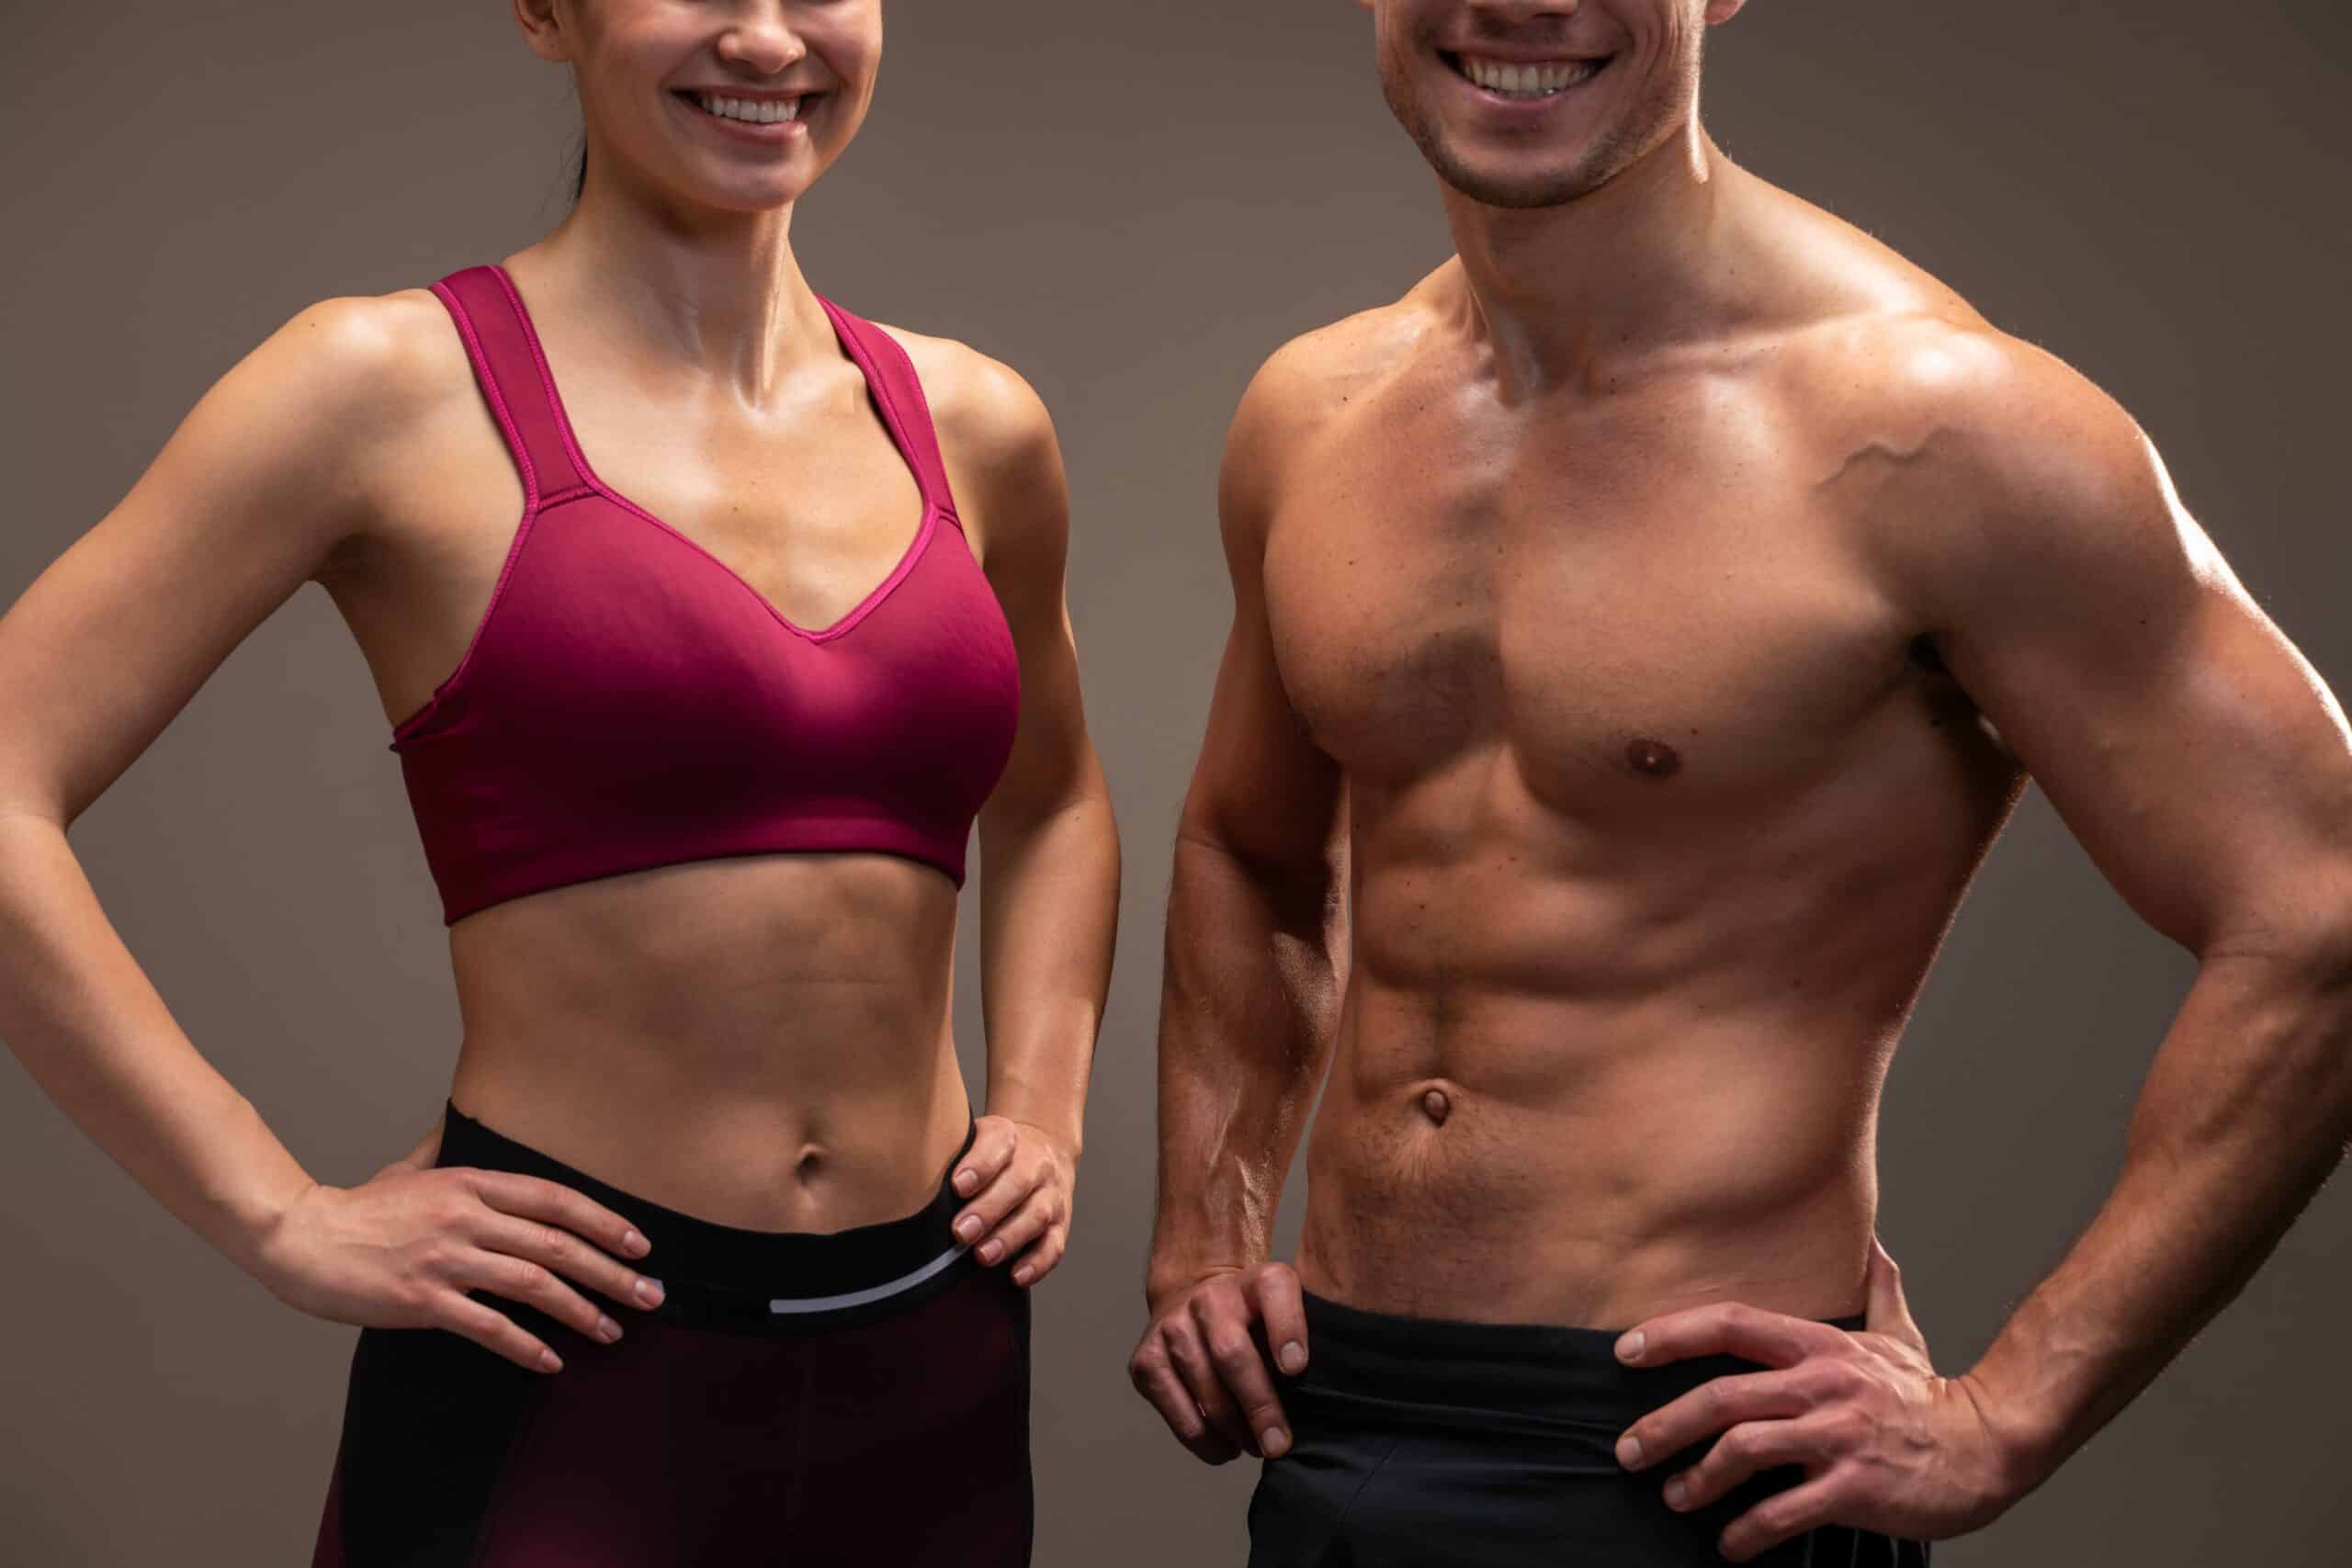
(1436, 1442)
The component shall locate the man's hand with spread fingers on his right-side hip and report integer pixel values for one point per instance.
(1885, 1442)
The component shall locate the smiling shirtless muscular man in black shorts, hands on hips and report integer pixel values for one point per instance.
(1643, 629)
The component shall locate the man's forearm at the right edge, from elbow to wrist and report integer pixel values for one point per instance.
(2243, 1118)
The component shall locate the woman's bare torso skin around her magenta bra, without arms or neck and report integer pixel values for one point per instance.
(759, 1040)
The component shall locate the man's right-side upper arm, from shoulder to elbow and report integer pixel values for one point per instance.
(2179, 735)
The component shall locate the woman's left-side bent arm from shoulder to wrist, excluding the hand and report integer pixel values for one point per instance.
(246, 504)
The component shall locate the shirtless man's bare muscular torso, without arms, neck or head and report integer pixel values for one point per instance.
(1659, 805)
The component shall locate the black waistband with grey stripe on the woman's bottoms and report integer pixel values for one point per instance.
(770, 1280)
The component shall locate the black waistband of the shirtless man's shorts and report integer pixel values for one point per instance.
(1424, 1369)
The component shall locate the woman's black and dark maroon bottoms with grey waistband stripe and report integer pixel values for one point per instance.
(813, 1400)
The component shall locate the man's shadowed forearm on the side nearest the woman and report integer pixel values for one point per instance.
(1245, 1038)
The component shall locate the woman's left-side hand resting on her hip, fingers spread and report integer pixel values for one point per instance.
(401, 1252)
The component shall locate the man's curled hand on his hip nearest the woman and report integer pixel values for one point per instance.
(1203, 1372)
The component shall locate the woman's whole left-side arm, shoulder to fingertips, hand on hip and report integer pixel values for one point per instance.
(250, 500)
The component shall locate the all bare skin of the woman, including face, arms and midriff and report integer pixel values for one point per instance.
(759, 1040)
